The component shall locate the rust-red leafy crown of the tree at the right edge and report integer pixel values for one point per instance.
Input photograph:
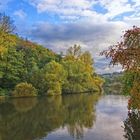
(127, 51)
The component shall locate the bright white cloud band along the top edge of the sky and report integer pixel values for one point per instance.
(84, 8)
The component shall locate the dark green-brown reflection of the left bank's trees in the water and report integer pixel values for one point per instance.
(32, 118)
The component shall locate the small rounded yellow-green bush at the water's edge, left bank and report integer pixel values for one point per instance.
(24, 90)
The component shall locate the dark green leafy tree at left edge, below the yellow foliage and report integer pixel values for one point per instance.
(12, 68)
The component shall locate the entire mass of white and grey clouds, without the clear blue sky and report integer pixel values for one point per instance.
(81, 24)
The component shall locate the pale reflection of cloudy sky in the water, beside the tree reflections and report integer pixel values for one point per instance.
(111, 111)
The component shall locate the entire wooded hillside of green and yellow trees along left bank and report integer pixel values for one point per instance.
(28, 69)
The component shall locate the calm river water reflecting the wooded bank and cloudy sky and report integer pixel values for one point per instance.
(71, 117)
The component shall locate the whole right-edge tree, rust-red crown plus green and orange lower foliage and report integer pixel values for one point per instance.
(127, 53)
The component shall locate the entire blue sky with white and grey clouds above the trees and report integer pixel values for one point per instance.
(59, 24)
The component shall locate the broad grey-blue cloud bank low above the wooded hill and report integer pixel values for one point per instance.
(91, 36)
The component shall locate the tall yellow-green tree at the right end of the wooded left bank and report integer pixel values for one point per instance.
(81, 74)
